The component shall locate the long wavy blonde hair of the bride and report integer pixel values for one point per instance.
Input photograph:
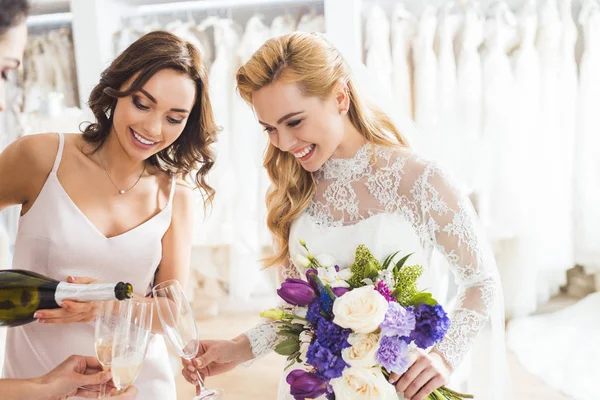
(318, 68)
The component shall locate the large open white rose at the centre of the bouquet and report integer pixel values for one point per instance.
(361, 310)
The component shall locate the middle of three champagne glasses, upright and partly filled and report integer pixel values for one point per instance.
(130, 341)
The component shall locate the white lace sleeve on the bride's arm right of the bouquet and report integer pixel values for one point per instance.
(453, 227)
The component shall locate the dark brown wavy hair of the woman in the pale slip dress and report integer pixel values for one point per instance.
(192, 152)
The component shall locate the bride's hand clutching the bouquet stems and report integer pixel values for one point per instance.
(427, 373)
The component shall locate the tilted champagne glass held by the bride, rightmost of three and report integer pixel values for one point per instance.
(179, 326)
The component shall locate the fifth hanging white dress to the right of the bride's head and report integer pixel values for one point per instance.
(469, 101)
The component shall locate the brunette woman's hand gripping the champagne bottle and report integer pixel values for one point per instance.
(70, 311)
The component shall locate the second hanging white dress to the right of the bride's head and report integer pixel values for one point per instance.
(403, 32)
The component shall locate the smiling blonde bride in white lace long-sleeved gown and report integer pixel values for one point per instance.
(342, 175)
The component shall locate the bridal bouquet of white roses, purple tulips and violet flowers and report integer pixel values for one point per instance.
(351, 329)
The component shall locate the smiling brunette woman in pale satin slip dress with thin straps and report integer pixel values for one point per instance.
(113, 203)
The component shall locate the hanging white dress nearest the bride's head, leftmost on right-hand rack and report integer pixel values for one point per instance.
(378, 52)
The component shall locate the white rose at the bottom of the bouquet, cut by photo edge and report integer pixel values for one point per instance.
(363, 384)
